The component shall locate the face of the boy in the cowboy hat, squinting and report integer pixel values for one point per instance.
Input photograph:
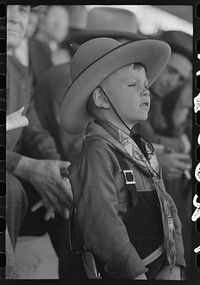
(127, 90)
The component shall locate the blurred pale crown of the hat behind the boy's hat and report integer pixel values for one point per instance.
(112, 19)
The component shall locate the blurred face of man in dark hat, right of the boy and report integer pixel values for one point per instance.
(178, 69)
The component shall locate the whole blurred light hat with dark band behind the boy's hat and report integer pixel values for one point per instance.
(108, 22)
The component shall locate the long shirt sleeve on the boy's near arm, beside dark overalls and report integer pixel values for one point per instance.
(103, 231)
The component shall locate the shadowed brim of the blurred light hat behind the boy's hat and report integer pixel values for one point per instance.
(85, 35)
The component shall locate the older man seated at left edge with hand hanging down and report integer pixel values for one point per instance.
(37, 176)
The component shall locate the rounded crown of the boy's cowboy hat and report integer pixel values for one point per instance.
(89, 52)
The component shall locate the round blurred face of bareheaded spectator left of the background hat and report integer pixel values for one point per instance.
(57, 23)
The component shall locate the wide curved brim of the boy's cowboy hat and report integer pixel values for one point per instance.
(152, 54)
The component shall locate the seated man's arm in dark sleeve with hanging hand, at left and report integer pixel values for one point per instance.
(43, 170)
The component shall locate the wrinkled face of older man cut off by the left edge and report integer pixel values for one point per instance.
(17, 22)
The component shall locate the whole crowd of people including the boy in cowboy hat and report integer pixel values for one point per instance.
(82, 77)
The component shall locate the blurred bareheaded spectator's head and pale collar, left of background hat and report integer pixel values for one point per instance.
(53, 30)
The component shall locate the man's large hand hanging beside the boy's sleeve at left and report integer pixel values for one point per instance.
(45, 176)
